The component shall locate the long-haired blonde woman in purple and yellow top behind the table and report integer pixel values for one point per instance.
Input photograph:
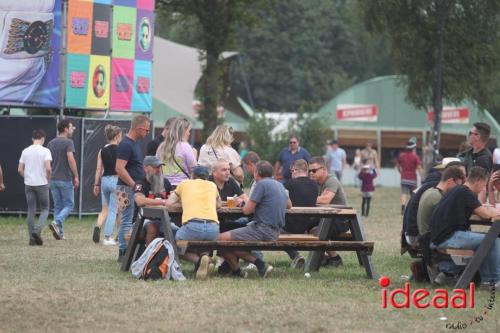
(177, 154)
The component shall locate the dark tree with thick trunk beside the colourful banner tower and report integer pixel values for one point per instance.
(216, 20)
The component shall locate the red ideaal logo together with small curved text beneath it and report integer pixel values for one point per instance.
(422, 298)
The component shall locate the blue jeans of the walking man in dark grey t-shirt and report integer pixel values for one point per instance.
(63, 197)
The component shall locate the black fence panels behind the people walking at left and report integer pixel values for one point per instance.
(88, 138)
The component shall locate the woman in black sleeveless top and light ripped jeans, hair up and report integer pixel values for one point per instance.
(105, 182)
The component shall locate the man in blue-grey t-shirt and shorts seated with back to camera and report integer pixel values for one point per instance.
(268, 203)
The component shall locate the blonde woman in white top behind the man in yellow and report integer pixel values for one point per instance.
(218, 146)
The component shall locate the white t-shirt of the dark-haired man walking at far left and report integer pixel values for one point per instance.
(34, 158)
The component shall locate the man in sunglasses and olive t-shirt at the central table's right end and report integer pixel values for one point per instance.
(330, 192)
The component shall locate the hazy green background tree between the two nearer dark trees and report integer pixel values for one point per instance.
(303, 53)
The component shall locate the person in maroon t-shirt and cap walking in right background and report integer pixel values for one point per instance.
(408, 165)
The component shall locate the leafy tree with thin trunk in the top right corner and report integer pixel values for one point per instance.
(446, 49)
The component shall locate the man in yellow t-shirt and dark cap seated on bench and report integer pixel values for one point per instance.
(199, 198)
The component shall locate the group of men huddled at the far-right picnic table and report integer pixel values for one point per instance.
(438, 214)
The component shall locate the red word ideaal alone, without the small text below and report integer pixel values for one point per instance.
(421, 298)
